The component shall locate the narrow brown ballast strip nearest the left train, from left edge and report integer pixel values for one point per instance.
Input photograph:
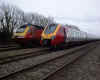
(14, 53)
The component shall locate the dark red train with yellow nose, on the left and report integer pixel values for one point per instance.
(28, 34)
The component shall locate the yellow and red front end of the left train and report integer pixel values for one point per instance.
(23, 34)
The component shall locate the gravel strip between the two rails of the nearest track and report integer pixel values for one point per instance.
(40, 72)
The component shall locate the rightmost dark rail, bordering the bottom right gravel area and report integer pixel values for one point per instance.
(70, 60)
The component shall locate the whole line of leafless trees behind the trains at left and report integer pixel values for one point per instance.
(11, 17)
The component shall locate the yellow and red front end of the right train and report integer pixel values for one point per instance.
(52, 36)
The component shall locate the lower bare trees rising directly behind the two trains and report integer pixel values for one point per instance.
(37, 19)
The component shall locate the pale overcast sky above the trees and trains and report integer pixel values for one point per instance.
(83, 13)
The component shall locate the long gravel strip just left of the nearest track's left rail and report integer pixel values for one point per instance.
(9, 68)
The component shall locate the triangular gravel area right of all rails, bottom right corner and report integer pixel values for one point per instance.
(86, 68)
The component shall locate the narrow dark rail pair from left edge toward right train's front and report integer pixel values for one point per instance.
(23, 55)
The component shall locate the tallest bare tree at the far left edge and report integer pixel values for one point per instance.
(9, 18)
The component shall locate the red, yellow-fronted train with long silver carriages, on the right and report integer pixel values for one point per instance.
(57, 34)
